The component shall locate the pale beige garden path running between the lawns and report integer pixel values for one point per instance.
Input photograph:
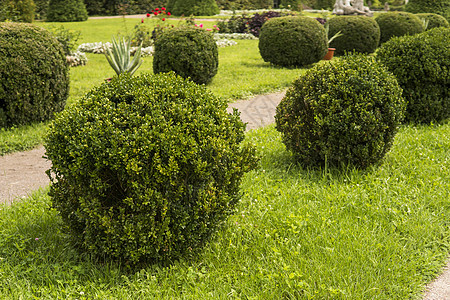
(23, 172)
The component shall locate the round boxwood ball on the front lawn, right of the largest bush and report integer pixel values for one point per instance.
(344, 112)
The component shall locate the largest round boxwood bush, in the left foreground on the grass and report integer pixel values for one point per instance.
(145, 168)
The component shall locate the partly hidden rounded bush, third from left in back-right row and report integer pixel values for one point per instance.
(398, 24)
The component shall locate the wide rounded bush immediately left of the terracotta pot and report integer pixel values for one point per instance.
(292, 41)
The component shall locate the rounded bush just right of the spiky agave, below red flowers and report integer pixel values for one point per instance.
(189, 52)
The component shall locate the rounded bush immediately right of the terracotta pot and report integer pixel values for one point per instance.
(359, 33)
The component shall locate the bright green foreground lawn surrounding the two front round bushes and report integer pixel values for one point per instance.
(298, 233)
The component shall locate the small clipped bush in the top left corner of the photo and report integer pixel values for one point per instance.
(17, 10)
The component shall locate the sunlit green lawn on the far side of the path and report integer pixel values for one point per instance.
(242, 73)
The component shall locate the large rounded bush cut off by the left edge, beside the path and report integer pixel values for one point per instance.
(34, 75)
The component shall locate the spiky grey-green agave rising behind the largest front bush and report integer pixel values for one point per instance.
(119, 56)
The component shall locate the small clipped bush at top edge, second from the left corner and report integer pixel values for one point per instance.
(66, 11)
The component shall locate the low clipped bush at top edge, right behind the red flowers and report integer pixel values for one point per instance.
(193, 7)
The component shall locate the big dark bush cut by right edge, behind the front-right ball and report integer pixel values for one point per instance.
(421, 64)
